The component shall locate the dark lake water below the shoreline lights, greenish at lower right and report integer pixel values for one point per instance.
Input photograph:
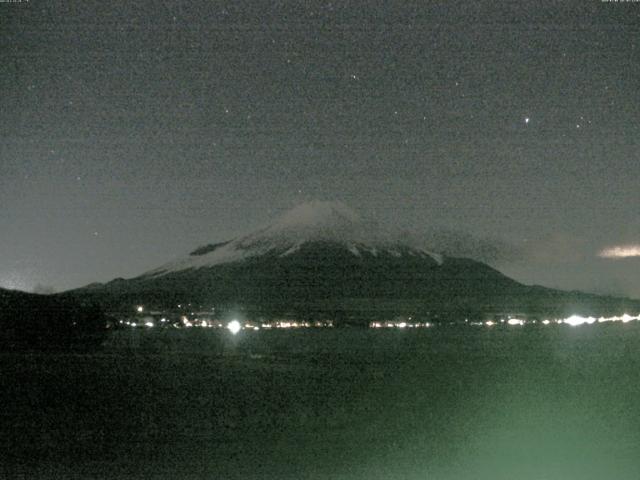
(447, 403)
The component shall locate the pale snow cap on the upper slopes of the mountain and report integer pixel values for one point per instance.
(316, 221)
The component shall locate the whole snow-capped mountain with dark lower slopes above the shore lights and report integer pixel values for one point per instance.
(324, 259)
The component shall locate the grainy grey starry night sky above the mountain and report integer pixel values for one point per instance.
(133, 132)
